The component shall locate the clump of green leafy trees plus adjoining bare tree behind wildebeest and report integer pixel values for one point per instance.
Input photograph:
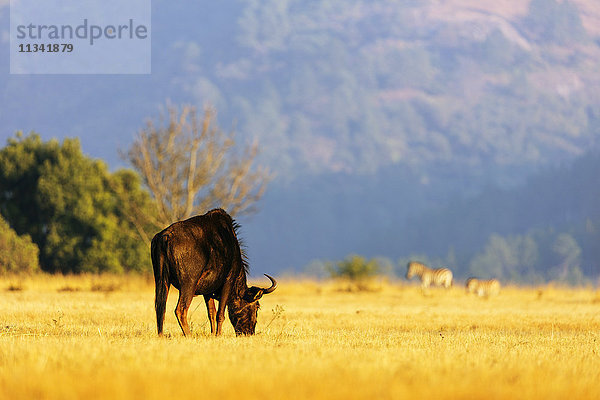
(64, 212)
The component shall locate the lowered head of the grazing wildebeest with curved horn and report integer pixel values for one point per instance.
(243, 311)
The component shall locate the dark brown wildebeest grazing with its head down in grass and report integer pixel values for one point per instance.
(202, 256)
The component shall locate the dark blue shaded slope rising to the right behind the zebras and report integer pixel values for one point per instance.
(546, 229)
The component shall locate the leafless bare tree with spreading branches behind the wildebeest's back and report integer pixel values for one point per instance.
(190, 165)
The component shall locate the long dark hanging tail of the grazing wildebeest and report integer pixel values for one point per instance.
(161, 278)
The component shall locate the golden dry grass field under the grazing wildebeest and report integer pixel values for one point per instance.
(92, 337)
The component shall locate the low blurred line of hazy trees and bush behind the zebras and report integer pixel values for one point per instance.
(532, 258)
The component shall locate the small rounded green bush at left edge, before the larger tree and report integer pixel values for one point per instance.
(18, 254)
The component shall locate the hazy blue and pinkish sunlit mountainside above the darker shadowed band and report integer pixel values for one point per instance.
(352, 85)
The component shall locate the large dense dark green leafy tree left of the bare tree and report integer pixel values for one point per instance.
(71, 206)
